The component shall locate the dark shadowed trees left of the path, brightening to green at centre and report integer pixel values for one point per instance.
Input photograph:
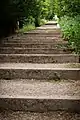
(23, 11)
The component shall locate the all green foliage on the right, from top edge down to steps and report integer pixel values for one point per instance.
(69, 13)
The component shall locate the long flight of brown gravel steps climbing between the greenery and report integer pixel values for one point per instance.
(39, 76)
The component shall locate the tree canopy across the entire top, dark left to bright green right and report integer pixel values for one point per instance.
(23, 11)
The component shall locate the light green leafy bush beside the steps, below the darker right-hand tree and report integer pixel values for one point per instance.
(71, 31)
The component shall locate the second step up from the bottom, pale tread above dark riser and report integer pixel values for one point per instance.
(40, 71)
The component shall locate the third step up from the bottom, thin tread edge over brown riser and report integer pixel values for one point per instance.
(39, 58)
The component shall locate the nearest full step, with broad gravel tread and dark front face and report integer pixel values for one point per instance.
(33, 96)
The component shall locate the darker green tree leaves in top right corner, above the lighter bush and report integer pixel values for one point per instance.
(67, 7)
